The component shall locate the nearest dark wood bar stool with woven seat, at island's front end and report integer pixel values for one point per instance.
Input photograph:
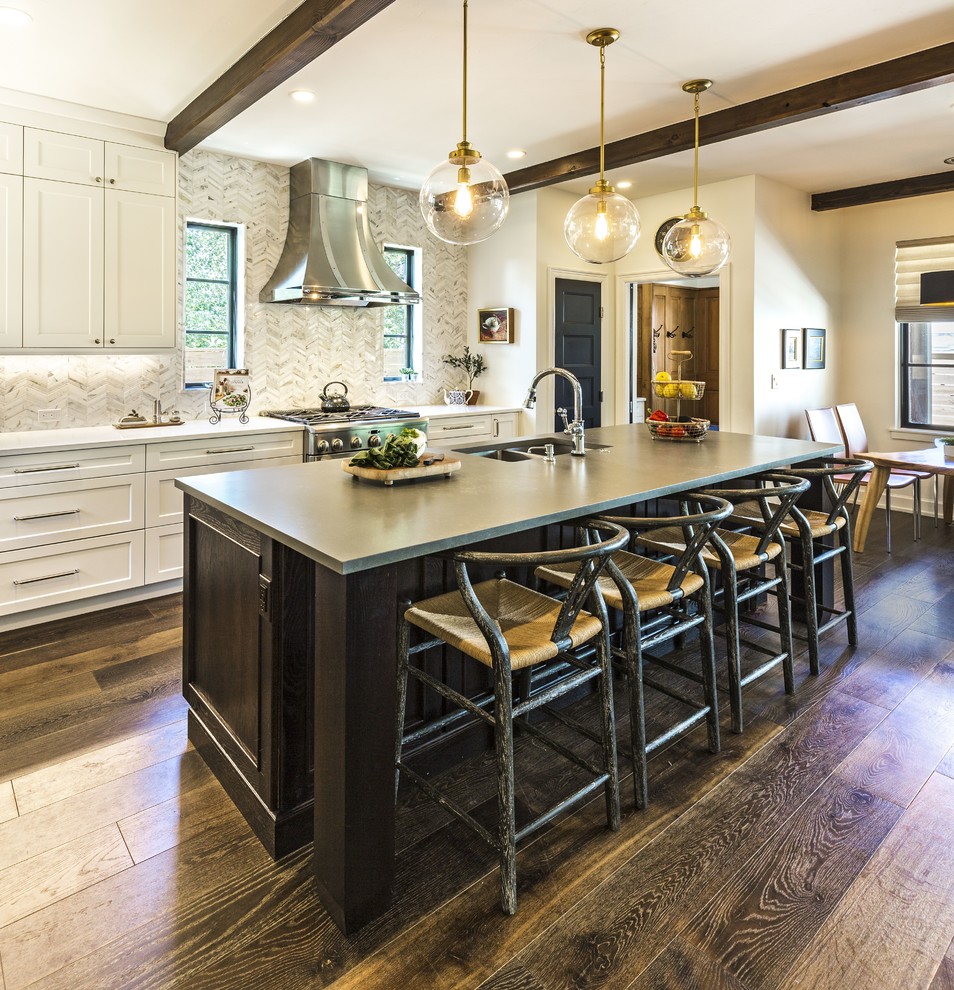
(508, 627)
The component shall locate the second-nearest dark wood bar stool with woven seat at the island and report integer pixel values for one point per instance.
(661, 600)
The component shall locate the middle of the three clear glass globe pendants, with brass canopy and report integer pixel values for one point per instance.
(602, 226)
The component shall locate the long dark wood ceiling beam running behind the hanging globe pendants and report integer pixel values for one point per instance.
(907, 74)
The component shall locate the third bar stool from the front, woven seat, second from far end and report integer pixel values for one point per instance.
(740, 558)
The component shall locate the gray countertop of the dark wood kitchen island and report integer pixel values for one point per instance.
(350, 525)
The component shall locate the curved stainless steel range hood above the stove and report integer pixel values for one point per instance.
(329, 258)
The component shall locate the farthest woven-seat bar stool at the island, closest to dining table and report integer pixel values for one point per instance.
(810, 528)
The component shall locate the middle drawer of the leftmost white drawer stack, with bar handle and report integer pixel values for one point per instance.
(31, 517)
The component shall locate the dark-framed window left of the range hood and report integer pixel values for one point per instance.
(212, 301)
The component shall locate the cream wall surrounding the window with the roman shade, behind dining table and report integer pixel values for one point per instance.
(868, 374)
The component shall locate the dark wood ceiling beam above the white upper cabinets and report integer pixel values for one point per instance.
(306, 33)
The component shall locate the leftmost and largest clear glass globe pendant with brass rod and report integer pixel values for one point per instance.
(465, 198)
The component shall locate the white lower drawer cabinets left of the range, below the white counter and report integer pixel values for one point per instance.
(83, 522)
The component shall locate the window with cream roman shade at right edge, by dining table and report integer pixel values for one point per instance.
(926, 336)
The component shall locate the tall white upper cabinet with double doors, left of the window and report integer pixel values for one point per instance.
(98, 244)
